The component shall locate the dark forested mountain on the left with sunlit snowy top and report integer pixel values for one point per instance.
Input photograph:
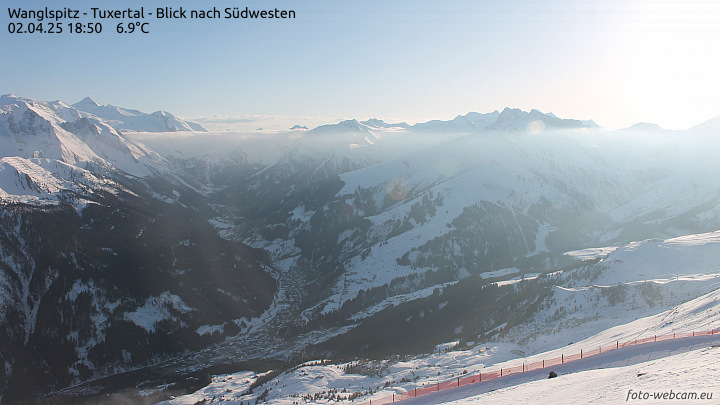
(99, 242)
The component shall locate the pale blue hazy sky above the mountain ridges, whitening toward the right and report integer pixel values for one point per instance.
(615, 61)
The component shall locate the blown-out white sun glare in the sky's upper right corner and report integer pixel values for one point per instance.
(670, 61)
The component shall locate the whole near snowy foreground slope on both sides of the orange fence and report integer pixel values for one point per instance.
(606, 377)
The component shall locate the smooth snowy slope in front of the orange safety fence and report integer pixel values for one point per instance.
(675, 371)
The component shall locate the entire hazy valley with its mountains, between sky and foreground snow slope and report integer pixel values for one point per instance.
(140, 253)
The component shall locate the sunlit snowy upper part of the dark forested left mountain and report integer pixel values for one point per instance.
(67, 146)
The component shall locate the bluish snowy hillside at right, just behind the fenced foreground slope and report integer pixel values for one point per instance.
(629, 282)
